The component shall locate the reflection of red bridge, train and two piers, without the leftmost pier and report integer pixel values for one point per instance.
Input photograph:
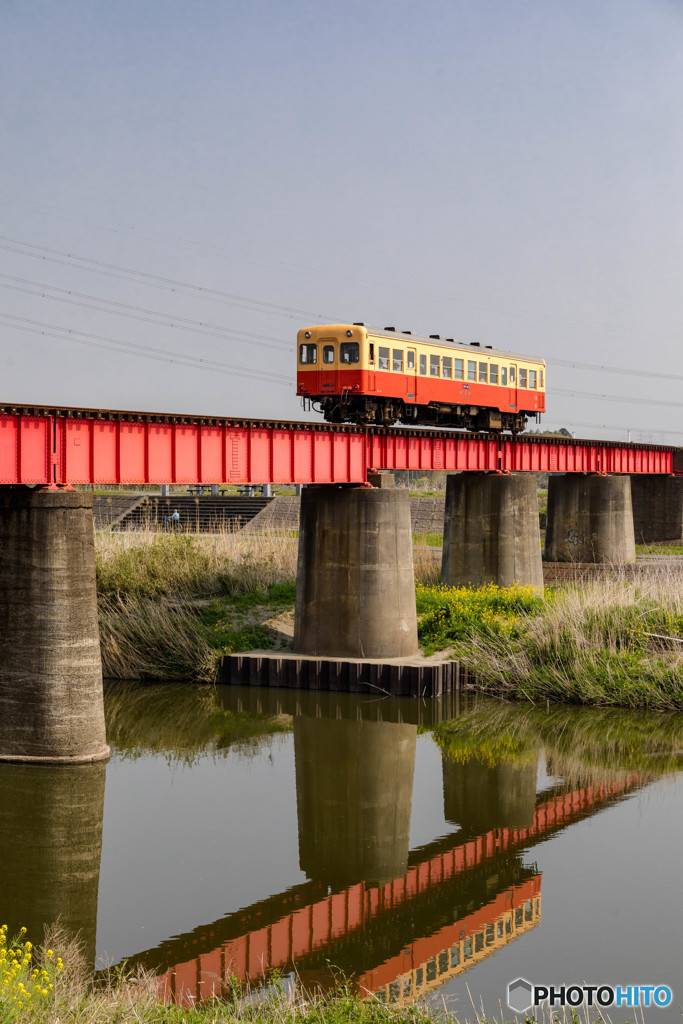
(396, 921)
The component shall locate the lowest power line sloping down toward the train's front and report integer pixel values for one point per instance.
(144, 352)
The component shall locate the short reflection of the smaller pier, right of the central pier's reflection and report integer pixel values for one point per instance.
(479, 797)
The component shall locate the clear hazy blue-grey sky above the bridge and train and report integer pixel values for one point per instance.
(502, 172)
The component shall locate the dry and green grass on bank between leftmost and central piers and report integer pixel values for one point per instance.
(170, 606)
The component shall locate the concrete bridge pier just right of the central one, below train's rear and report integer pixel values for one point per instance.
(491, 531)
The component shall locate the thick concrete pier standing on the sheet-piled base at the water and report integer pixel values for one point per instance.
(356, 584)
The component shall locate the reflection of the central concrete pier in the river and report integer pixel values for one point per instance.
(355, 790)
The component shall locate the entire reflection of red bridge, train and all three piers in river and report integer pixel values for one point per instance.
(398, 922)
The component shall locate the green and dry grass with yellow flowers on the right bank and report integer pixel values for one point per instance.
(610, 643)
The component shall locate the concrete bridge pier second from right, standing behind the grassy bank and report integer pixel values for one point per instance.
(590, 520)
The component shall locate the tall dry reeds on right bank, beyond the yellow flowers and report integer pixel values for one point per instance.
(610, 642)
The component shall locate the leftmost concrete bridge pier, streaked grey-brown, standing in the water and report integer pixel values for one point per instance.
(52, 706)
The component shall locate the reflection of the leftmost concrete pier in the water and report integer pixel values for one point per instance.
(53, 824)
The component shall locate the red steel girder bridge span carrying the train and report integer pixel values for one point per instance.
(62, 447)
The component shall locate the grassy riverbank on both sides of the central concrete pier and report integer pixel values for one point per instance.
(173, 606)
